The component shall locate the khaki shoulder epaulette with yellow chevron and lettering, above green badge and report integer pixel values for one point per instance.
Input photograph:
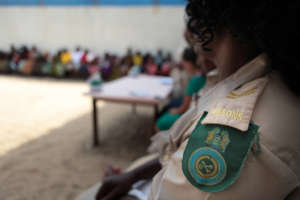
(232, 101)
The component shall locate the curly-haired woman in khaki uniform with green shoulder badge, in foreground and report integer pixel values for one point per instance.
(242, 141)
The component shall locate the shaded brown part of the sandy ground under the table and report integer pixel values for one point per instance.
(59, 166)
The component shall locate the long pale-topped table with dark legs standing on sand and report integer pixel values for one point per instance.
(143, 90)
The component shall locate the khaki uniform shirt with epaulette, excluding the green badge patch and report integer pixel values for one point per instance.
(249, 94)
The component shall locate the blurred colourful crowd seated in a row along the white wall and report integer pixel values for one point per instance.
(81, 63)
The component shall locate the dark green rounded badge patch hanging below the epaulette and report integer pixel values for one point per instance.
(215, 155)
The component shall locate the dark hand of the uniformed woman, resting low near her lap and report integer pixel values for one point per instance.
(115, 186)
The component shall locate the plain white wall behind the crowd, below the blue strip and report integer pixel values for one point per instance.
(98, 28)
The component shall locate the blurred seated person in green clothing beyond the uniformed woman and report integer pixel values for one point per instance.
(195, 84)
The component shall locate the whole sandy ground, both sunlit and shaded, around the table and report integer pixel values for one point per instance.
(45, 126)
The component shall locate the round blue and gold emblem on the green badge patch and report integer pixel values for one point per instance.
(207, 166)
